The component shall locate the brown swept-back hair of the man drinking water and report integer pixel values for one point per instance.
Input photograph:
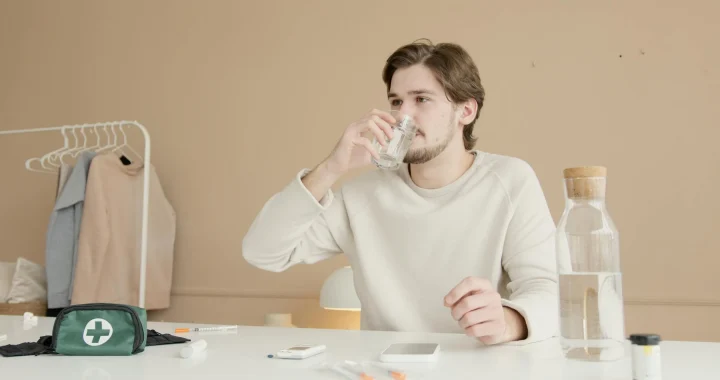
(453, 68)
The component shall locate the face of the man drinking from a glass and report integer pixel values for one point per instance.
(415, 92)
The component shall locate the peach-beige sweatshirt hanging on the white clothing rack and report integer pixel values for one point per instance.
(108, 260)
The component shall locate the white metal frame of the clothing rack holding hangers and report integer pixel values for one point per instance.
(146, 182)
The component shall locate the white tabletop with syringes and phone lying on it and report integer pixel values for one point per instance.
(242, 354)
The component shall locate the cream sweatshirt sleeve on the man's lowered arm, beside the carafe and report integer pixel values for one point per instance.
(529, 257)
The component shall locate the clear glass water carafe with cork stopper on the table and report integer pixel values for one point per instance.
(592, 325)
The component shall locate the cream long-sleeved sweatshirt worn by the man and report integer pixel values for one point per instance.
(409, 246)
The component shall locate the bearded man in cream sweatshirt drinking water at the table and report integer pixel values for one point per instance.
(455, 240)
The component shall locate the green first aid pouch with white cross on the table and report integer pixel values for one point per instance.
(100, 329)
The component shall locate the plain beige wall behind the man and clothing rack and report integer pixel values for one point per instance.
(630, 85)
